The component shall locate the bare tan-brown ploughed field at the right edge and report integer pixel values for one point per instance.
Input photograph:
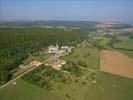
(116, 63)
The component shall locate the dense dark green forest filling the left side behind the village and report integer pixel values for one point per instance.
(17, 43)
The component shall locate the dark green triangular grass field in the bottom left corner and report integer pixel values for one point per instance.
(26, 91)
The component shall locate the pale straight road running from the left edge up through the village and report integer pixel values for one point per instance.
(32, 68)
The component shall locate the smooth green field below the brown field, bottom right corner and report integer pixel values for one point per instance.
(110, 87)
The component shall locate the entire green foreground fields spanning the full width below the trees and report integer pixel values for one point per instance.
(107, 87)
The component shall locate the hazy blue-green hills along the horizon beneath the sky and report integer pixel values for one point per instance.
(87, 25)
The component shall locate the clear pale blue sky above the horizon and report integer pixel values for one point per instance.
(87, 10)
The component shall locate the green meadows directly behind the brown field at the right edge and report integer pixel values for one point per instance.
(124, 43)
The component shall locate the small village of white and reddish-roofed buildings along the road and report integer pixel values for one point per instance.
(55, 63)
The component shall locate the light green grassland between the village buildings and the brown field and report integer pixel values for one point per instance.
(86, 53)
